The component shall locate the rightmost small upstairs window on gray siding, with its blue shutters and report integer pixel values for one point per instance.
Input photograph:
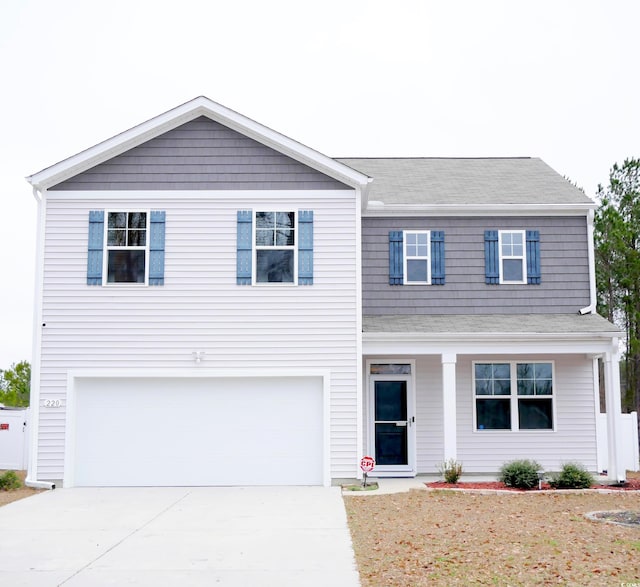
(512, 257)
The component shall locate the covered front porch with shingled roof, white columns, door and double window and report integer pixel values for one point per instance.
(484, 390)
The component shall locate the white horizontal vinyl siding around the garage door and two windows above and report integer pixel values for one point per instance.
(200, 307)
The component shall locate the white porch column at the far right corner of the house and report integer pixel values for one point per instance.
(615, 470)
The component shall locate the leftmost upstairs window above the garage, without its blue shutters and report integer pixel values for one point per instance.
(126, 247)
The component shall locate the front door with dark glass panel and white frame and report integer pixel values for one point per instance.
(392, 425)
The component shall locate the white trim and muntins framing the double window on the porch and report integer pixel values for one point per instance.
(513, 397)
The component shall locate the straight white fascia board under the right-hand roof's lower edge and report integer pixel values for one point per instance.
(405, 210)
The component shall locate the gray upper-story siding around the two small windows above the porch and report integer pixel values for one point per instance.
(564, 286)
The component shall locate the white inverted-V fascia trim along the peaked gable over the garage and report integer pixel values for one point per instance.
(200, 106)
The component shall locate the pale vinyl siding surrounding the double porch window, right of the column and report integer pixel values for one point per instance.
(574, 436)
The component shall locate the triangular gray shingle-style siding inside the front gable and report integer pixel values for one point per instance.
(201, 155)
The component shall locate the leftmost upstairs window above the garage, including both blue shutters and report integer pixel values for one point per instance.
(126, 249)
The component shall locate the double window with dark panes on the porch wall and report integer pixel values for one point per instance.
(513, 396)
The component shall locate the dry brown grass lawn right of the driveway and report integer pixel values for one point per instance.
(451, 538)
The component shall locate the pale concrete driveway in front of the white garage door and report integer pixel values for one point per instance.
(178, 536)
